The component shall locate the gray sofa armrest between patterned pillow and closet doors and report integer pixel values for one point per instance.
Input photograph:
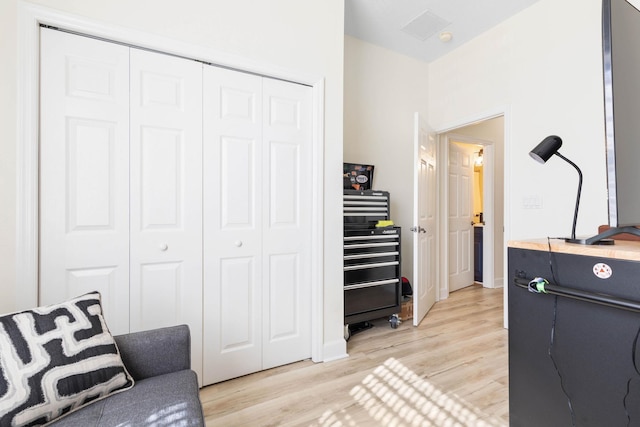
(155, 352)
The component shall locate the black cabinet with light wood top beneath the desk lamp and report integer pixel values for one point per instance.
(574, 356)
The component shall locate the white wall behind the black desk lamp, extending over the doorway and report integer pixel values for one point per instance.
(543, 66)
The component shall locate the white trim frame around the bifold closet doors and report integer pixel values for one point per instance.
(30, 18)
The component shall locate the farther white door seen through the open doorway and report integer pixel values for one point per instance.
(460, 217)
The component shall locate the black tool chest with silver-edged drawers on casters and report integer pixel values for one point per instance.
(372, 278)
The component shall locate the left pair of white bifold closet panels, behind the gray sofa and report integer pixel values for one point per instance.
(121, 182)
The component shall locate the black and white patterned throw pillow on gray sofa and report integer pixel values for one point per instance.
(55, 359)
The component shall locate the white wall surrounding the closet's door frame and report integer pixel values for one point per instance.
(299, 37)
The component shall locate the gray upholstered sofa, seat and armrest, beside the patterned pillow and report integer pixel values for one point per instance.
(166, 389)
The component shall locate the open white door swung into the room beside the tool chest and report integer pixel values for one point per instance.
(424, 239)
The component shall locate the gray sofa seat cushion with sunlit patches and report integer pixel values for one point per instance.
(169, 399)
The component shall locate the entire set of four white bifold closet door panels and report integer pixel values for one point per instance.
(173, 187)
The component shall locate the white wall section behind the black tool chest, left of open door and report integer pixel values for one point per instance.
(382, 91)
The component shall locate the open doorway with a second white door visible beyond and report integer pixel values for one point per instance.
(458, 247)
